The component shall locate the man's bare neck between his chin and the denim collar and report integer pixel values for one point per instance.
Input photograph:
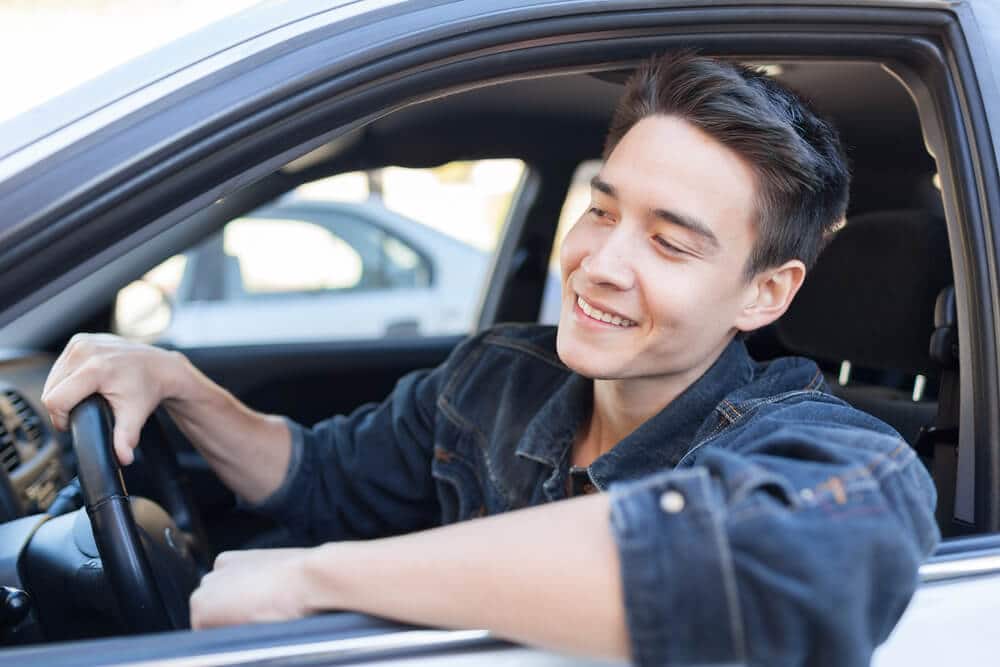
(621, 406)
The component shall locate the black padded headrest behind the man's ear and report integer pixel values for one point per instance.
(870, 298)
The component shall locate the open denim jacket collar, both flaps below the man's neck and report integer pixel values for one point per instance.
(659, 443)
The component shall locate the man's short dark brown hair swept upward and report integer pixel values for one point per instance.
(801, 170)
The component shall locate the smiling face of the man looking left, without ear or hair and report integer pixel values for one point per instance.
(660, 252)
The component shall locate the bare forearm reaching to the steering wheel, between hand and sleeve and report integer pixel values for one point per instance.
(247, 449)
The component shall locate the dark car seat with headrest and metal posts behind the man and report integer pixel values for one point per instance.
(870, 301)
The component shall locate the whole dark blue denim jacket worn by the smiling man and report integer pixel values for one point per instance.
(758, 519)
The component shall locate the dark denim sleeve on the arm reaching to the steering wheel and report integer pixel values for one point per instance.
(366, 474)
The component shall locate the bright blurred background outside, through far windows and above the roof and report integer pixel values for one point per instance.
(337, 246)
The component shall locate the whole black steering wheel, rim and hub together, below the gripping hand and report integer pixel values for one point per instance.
(147, 562)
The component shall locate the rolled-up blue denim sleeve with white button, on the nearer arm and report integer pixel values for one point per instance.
(795, 542)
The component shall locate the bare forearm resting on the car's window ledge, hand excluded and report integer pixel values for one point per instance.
(545, 576)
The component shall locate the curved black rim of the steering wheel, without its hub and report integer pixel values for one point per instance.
(115, 532)
